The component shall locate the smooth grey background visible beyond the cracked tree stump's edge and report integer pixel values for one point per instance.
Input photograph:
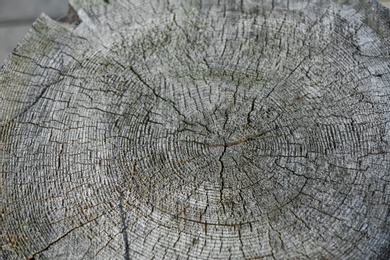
(16, 17)
